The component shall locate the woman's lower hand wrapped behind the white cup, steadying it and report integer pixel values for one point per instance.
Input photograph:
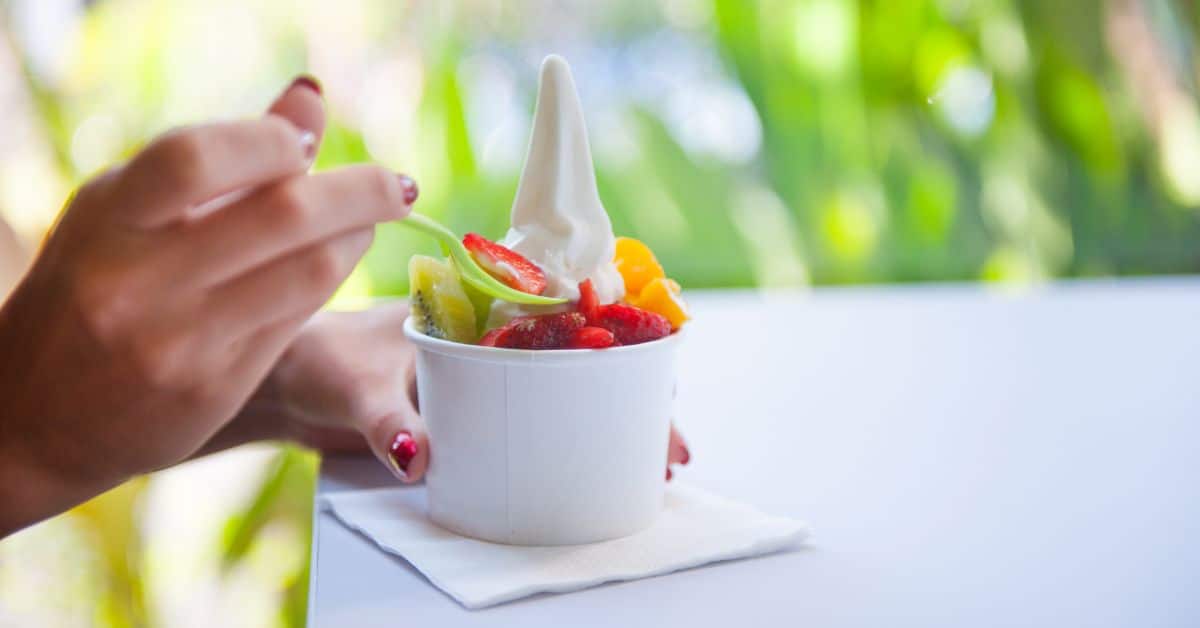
(349, 384)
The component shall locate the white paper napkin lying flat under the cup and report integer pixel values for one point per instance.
(694, 529)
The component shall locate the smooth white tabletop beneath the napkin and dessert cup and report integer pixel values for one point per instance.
(964, 458)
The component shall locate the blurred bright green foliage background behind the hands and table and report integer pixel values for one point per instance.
(773, 143)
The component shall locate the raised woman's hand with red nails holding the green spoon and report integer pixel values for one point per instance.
(166, 295)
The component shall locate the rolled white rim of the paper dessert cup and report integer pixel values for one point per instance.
(477, 352)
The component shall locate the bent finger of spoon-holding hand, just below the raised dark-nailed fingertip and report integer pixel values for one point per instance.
(189, 166)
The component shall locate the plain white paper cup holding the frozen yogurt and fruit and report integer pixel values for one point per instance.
(545, 447)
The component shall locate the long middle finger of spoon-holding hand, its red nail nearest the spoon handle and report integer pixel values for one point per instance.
(284, 218)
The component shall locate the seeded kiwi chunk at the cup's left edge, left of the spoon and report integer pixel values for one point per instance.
(440, 306)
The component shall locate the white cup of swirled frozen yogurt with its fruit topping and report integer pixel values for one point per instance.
(548, 424)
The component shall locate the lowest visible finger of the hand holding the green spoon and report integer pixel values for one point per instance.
(292, 286)
